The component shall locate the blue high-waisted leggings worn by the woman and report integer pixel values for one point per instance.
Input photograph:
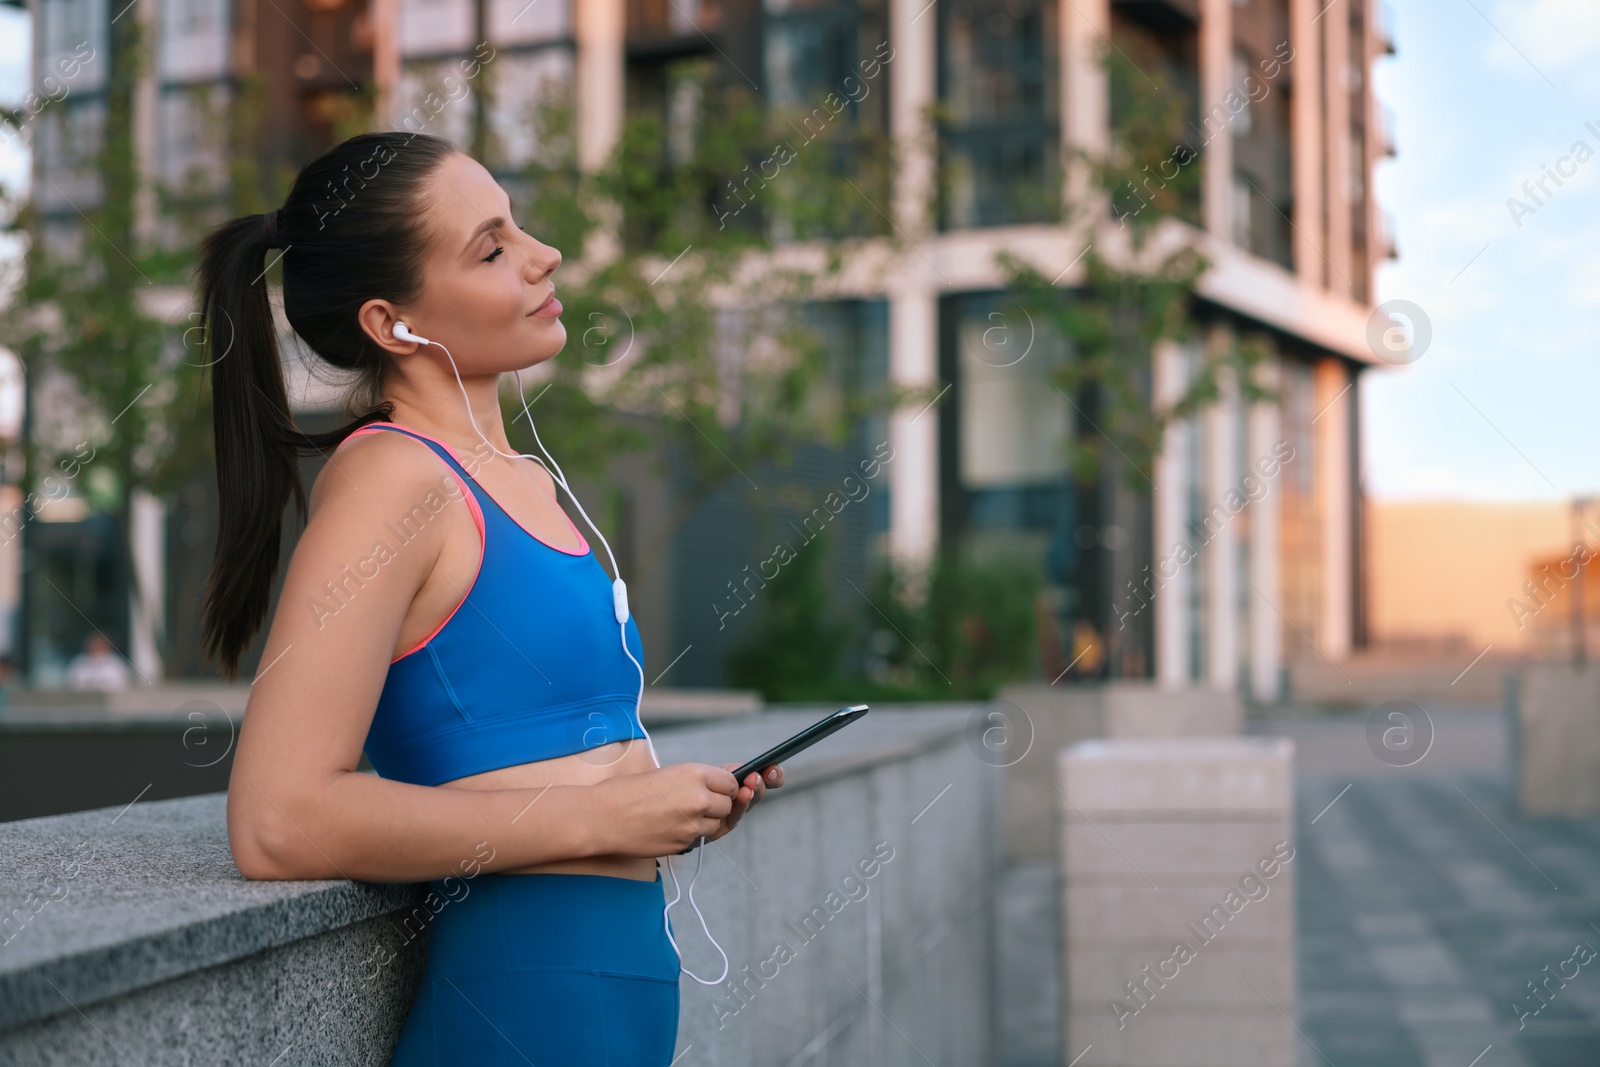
(553, 970)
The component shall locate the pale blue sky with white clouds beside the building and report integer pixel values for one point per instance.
(1486, 95)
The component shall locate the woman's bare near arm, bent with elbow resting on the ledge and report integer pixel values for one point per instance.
(298, 809)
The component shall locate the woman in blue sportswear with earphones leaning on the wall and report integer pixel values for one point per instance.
(444, 613)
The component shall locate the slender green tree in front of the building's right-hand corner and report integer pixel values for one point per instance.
(1135, 207)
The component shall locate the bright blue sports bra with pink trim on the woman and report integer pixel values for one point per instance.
(527, 668)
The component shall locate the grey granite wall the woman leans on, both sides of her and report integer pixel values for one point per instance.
(132, 935)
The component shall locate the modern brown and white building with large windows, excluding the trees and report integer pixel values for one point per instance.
(1252, 569)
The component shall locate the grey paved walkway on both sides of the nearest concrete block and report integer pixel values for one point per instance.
(1426, 908)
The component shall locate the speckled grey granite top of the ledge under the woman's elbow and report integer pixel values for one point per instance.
(132, 898)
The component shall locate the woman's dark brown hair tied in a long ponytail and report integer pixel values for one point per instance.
(329, 273)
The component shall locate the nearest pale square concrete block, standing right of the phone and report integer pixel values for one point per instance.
(1178, 903)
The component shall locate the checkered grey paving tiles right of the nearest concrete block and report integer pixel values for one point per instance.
(1425, 914)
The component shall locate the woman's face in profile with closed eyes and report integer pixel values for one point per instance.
(487, 286)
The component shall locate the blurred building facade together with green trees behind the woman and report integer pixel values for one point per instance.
(945, 297)
